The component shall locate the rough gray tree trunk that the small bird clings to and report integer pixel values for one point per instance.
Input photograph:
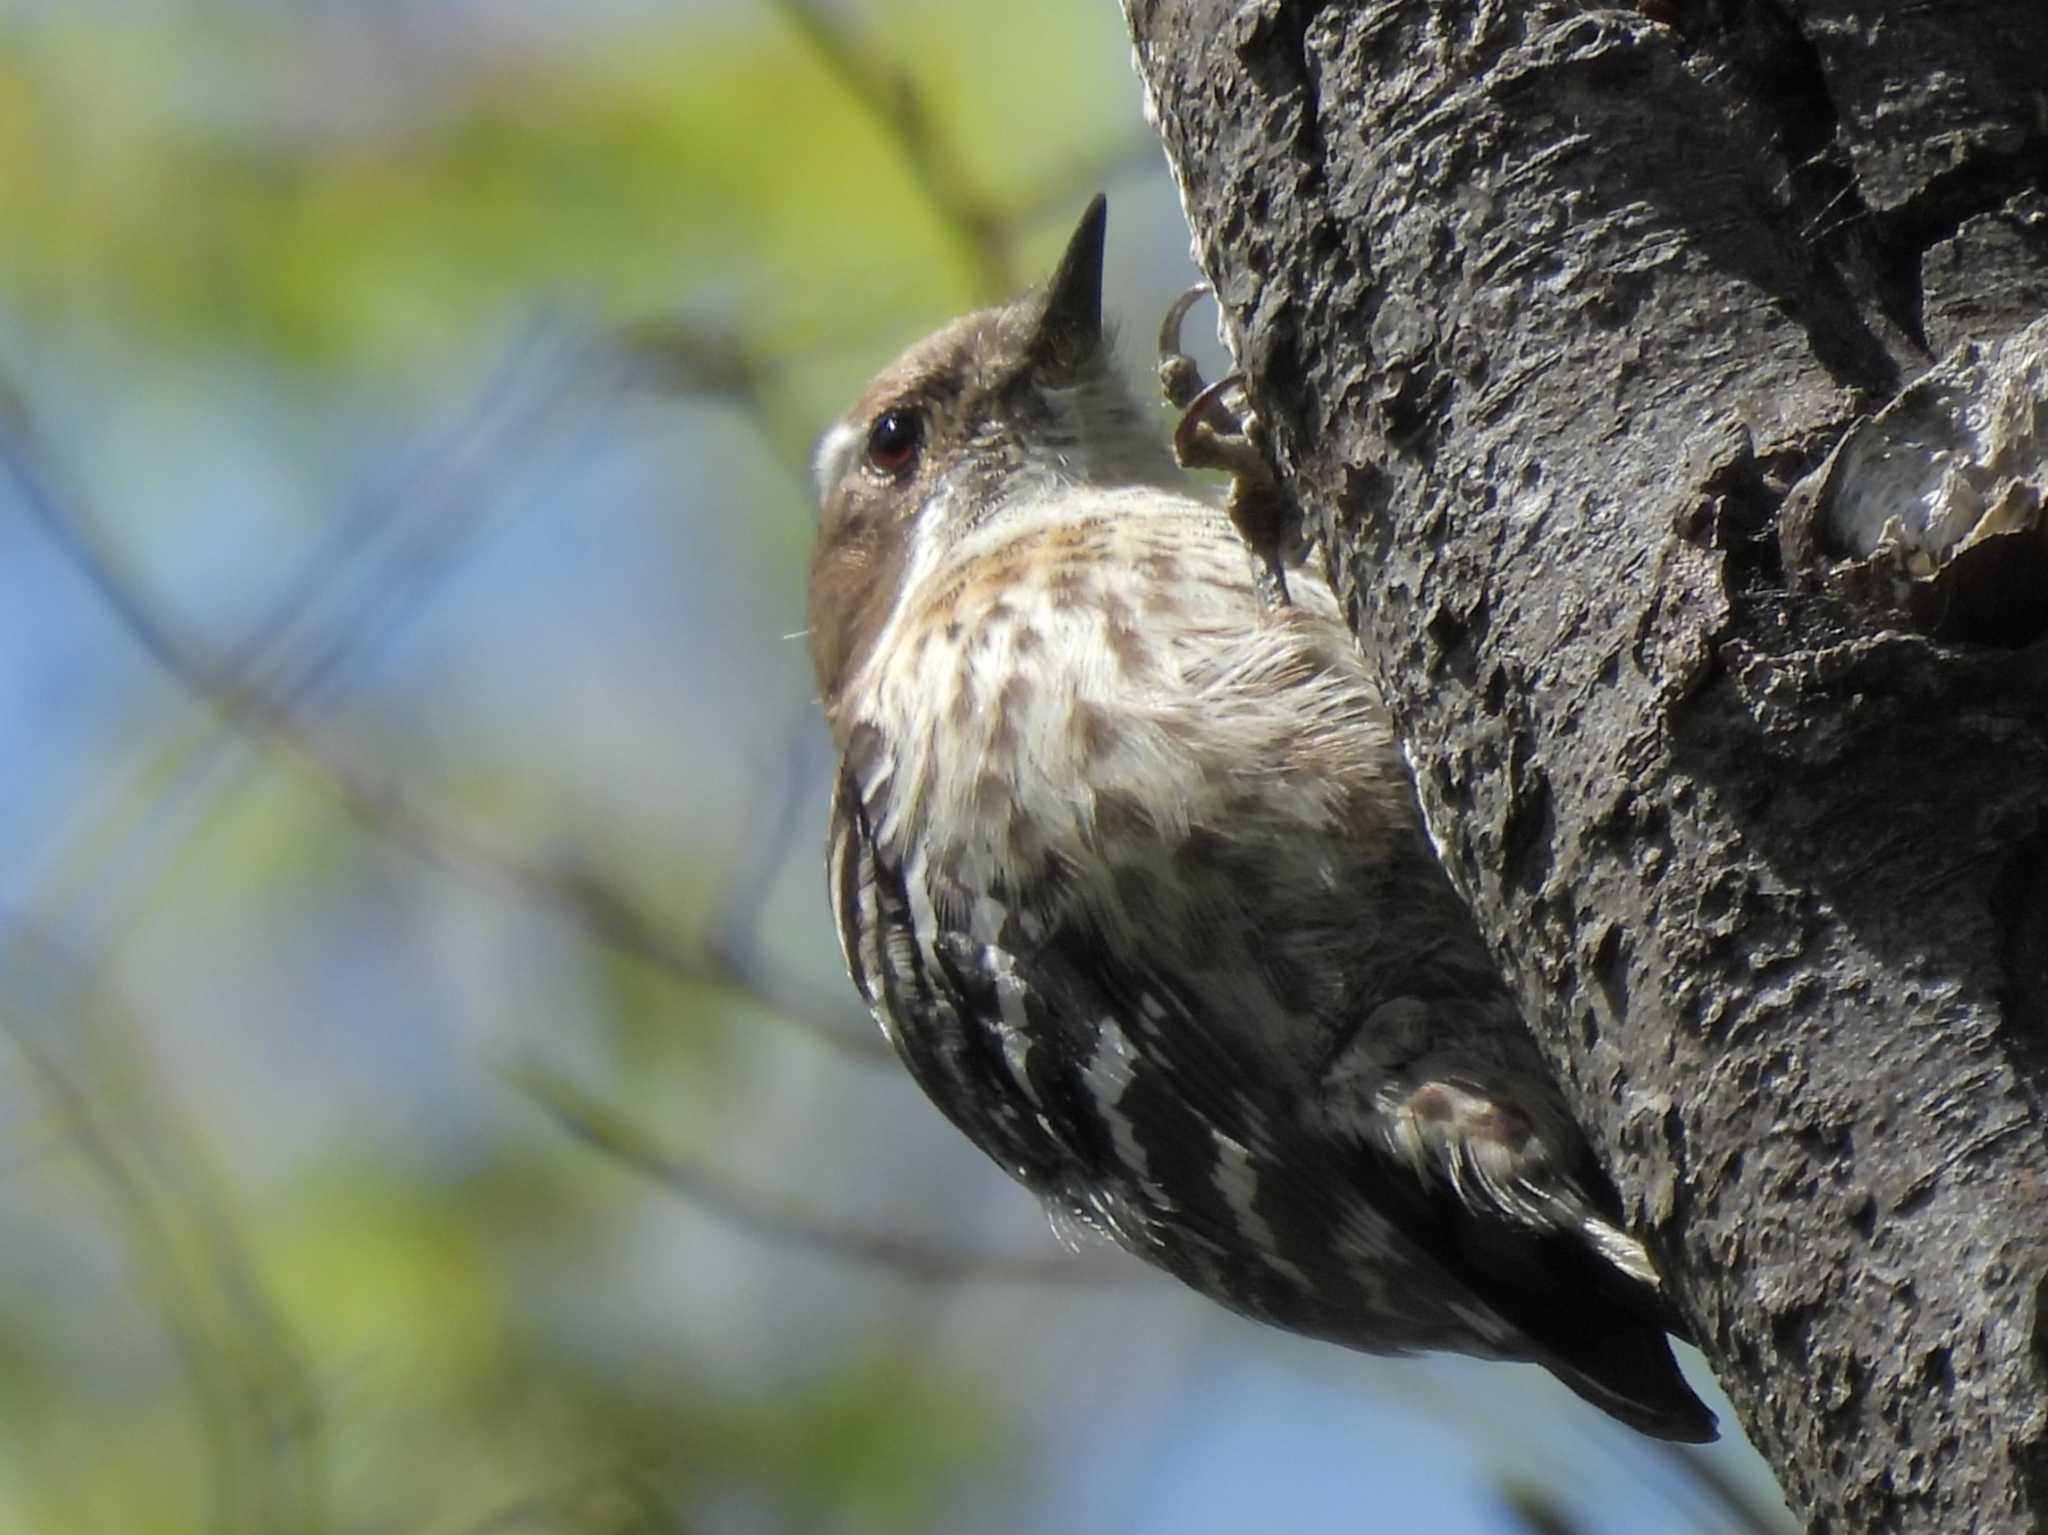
(1568, 328)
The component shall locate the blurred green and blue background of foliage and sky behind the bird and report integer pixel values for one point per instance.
(431, 1100)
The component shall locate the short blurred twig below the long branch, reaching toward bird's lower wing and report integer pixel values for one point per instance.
(908, 1258)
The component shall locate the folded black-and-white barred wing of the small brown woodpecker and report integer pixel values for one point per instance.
(1103, 1088)
